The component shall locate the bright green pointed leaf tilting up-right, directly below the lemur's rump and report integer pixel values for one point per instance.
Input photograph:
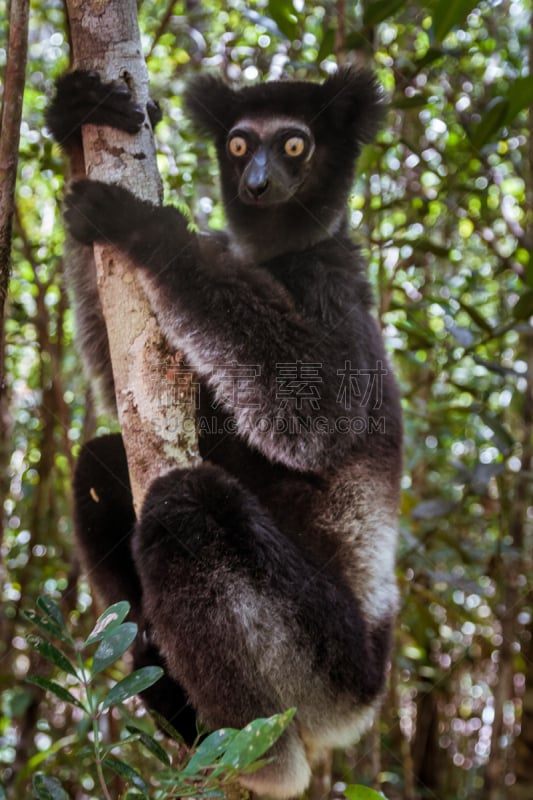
(254, 740)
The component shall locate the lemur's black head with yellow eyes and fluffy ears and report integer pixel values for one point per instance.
(287, 151)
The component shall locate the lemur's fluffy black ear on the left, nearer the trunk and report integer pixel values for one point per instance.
(211, 105)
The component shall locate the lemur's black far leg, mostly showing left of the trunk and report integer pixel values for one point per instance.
(104, 521)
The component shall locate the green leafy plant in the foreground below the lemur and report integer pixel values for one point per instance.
(217, 760)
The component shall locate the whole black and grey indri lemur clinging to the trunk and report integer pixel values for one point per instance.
(265, 577)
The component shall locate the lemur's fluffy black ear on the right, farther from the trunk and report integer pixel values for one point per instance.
(353, 99)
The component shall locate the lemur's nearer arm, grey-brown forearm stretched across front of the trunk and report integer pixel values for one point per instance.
(222, 313)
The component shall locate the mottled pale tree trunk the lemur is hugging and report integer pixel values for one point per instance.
(158, 435)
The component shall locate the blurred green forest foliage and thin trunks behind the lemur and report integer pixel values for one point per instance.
(442, 208)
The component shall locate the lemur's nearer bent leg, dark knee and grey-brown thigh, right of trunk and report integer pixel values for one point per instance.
(245, 621)
